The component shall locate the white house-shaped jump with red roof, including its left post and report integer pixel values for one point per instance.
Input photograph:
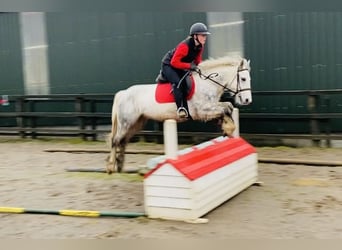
(187, 184)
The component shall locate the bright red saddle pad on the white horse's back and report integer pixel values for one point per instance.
(164, 93)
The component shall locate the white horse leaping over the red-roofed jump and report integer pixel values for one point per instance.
(135, 105)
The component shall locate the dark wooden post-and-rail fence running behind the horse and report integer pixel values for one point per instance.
(86, 117)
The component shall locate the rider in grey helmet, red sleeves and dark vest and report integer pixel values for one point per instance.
(178, 61)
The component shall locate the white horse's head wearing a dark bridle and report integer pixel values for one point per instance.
(243, 91)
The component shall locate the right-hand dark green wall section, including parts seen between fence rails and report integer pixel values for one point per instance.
(292, 51)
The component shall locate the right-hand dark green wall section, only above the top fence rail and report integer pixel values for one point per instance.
(295, 50)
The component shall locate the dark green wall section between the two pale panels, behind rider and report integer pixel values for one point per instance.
(104, 52)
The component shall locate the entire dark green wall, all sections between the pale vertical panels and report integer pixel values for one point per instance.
(104, 52)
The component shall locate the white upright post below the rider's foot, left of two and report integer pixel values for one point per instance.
(170, 138)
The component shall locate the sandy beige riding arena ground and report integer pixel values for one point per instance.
(295, 201)
